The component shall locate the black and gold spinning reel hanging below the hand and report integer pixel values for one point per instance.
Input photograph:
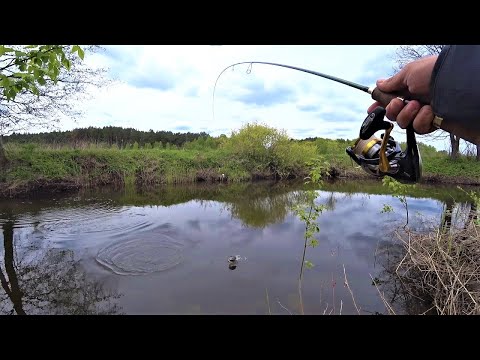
(384, 156)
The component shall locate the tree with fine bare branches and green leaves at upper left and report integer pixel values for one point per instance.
(40, 83)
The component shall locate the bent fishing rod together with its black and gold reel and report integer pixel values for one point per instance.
(377, 156)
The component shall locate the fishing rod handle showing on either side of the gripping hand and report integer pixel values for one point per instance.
(456, 128)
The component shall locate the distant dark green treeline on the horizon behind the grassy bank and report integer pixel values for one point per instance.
(109, 135)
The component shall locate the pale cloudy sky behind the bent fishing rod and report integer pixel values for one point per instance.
(170, 87)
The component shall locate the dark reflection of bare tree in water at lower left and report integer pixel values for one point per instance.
(49, 282)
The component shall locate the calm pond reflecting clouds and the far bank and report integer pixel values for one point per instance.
(166, 250)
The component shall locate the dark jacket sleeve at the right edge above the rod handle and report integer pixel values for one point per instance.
(455, 85)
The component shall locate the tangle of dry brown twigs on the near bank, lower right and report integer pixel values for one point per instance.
(441, 268)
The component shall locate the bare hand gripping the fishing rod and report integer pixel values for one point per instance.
(412, 82)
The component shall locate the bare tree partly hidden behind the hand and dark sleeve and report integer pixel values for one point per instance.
(408, 53)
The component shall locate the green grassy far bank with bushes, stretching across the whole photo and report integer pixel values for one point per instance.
(254, 152)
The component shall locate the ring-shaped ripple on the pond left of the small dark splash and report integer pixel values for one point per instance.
(141, 256)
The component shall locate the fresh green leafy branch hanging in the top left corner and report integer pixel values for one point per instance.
(26, 68)
